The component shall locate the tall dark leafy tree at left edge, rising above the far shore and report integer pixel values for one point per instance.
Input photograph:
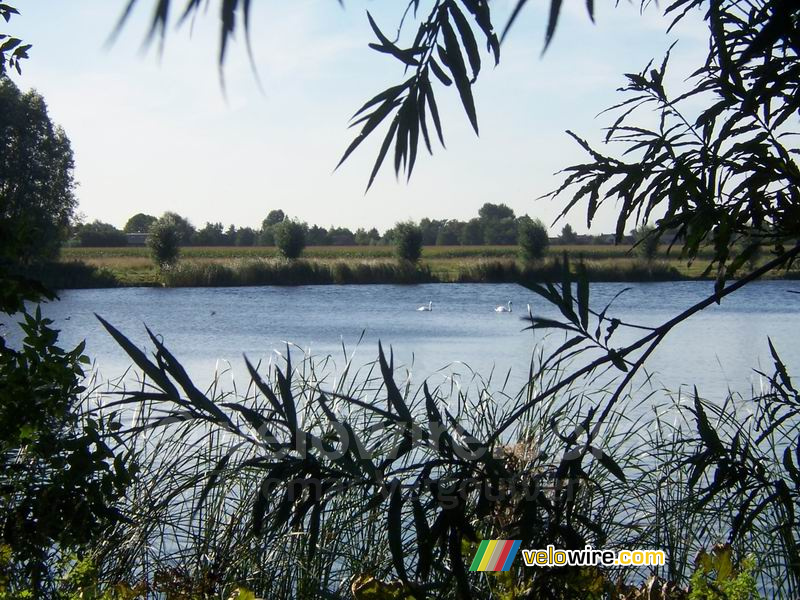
(36, 178)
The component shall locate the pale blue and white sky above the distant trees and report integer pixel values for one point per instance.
(153, 129)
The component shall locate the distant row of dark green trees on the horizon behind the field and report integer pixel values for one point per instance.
(496, 224)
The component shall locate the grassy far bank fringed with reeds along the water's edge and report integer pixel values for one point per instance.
(234, 266)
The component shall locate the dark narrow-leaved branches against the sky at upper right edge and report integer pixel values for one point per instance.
(722, 174)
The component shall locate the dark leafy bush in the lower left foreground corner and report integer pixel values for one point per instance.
(59, 478)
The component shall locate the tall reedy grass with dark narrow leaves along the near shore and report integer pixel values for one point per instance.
(319, 478)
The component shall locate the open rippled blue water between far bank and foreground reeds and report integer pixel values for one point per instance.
(204, 327)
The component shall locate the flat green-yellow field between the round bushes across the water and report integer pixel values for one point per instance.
(219, 265)
